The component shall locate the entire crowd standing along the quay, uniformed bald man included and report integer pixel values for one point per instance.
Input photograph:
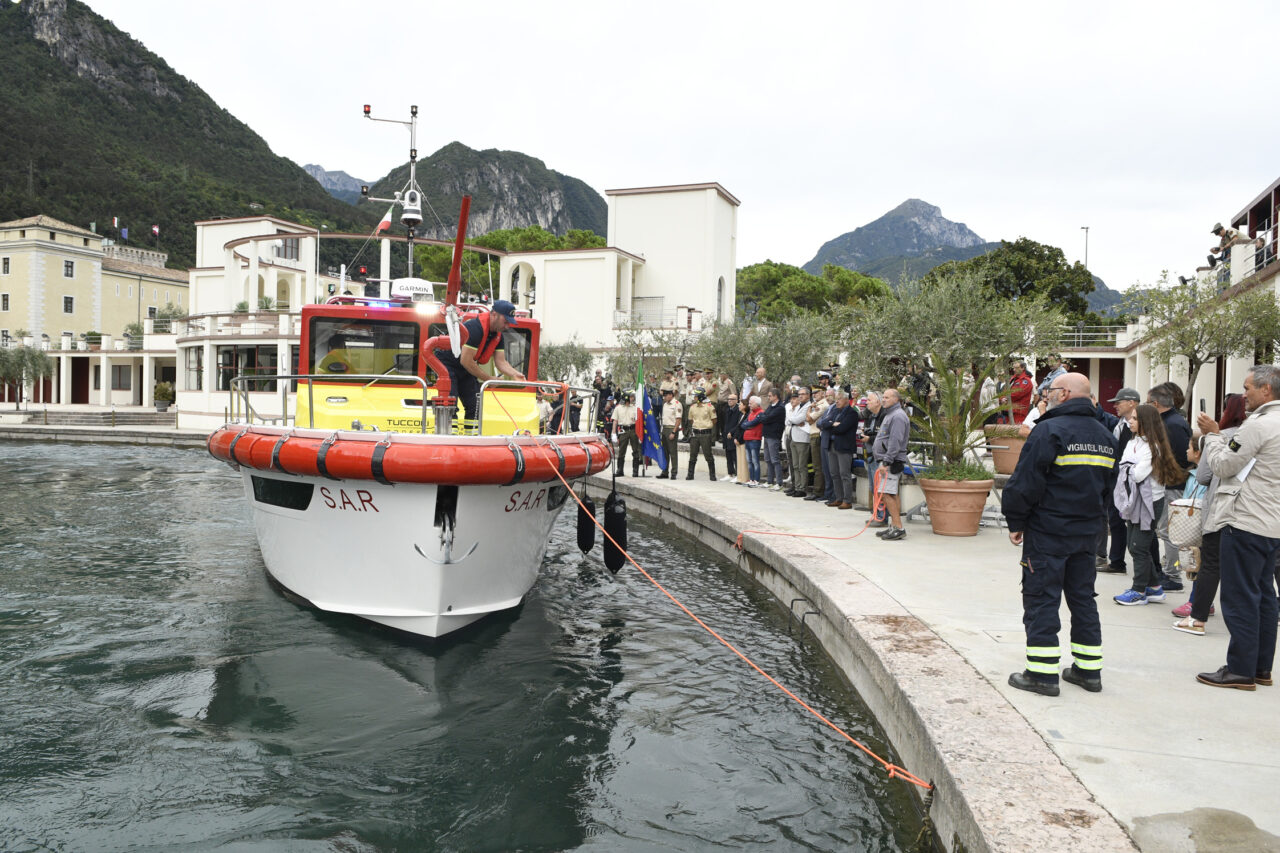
(1094, 491)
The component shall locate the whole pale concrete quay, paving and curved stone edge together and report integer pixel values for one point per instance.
(929, 630)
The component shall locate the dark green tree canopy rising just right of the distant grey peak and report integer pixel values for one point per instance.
(1026, 268)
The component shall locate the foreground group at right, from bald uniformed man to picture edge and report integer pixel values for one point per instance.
(1092, 489)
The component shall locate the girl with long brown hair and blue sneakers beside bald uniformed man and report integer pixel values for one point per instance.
(1148, 468)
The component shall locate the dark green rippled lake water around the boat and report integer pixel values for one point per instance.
(157, 692)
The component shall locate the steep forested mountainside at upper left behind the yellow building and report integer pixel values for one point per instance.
(95, 126)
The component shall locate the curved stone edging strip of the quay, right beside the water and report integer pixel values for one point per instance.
(999, 784)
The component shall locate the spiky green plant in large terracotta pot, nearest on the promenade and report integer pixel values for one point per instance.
(956, 485)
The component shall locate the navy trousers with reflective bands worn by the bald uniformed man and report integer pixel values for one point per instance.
(1049, 574)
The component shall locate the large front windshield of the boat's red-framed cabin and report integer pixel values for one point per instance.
(348, 346)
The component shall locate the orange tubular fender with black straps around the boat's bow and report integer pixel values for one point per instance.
(451, 464)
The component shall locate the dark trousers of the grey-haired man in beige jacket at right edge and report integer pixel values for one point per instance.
(1250, 600)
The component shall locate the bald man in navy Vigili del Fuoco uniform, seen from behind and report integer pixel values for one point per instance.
(1055, 504)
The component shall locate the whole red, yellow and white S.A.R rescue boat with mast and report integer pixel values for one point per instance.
(380, 499)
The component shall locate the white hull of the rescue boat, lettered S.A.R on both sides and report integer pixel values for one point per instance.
(412, 556)
